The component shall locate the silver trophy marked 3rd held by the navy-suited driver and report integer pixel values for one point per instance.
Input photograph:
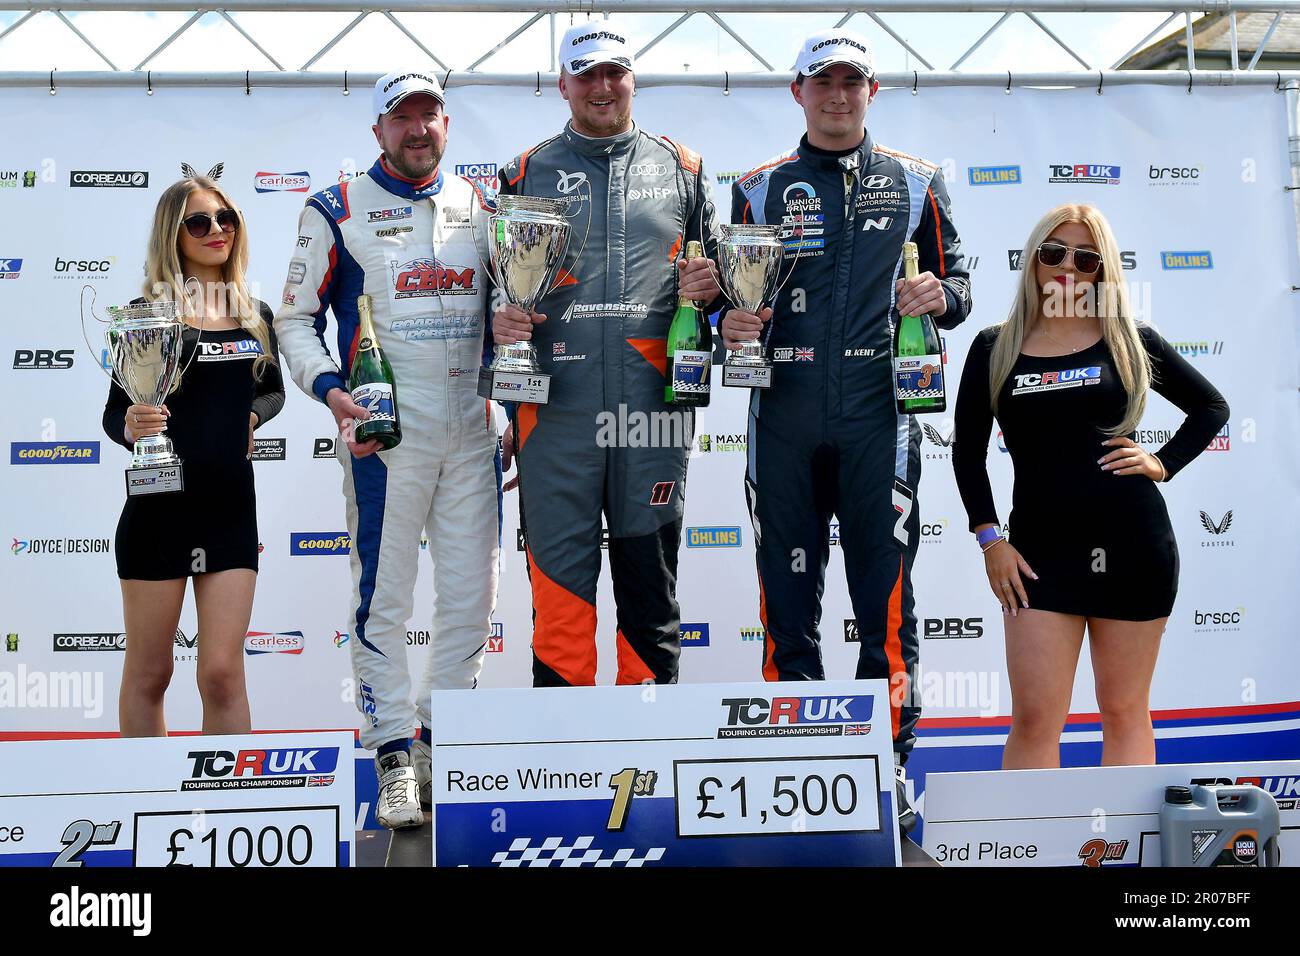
(749, 262)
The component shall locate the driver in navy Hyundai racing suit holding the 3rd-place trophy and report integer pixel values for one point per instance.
(826, 439)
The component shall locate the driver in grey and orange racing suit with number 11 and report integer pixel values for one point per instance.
(606, 439)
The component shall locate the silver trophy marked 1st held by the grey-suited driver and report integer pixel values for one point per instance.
(527, 240)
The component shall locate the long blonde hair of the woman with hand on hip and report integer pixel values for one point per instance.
(1119, 328)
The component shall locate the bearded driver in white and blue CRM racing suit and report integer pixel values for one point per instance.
(401, 235)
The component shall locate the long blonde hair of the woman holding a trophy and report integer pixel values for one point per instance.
(164, 278)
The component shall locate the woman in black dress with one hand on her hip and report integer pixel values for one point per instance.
(1091, 546)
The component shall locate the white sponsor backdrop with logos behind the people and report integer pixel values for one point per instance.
(1208, 237)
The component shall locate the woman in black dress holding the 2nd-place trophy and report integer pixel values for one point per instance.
(231, 383)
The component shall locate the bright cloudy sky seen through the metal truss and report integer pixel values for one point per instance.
(460, 40)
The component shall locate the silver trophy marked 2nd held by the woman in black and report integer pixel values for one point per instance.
(145, 345)
